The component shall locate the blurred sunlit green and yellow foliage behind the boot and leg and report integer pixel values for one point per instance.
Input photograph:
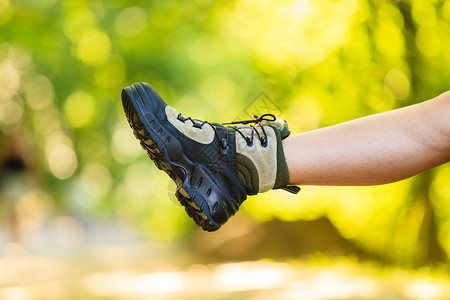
(63, 64)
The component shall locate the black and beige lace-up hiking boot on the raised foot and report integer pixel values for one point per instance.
(214, 167)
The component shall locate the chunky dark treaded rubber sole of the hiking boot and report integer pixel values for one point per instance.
(196, 187)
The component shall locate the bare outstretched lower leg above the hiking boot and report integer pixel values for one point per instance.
(376, 149)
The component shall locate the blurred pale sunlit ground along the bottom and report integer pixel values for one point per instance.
(126, 268)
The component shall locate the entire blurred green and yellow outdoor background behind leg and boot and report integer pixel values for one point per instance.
(76, 188)
